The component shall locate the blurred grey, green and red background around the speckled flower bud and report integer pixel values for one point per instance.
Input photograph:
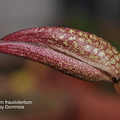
(56, 96)
